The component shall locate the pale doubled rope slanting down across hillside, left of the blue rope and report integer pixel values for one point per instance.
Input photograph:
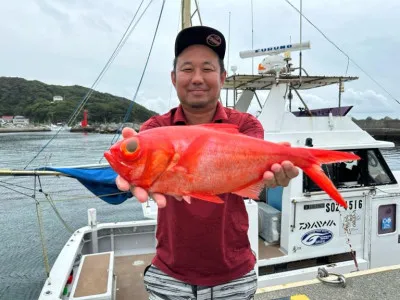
(80, 105)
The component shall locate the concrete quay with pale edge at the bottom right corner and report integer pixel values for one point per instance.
(380, 283)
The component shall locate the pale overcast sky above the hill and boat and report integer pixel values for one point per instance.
(68, 42)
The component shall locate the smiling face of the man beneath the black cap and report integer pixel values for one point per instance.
(198, 79)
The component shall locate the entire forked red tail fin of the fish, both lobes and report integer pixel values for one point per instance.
(314, 171)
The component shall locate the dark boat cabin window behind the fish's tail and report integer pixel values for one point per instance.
(371, 170)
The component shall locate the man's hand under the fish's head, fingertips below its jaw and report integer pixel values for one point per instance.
(138, 192)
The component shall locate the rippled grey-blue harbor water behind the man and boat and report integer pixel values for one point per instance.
(22, 265)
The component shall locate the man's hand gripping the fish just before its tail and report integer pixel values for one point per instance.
(280, 174)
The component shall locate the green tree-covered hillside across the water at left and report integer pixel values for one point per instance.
(34, 100)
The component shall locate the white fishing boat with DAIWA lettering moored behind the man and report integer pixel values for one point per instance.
(297, 232)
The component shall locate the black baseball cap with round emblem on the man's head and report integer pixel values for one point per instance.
(200, 35)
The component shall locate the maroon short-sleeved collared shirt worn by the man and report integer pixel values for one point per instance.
(204, 243)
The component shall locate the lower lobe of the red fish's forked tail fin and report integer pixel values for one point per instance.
(318, 176)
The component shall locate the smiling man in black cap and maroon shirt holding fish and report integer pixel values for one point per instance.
(203, 251)
